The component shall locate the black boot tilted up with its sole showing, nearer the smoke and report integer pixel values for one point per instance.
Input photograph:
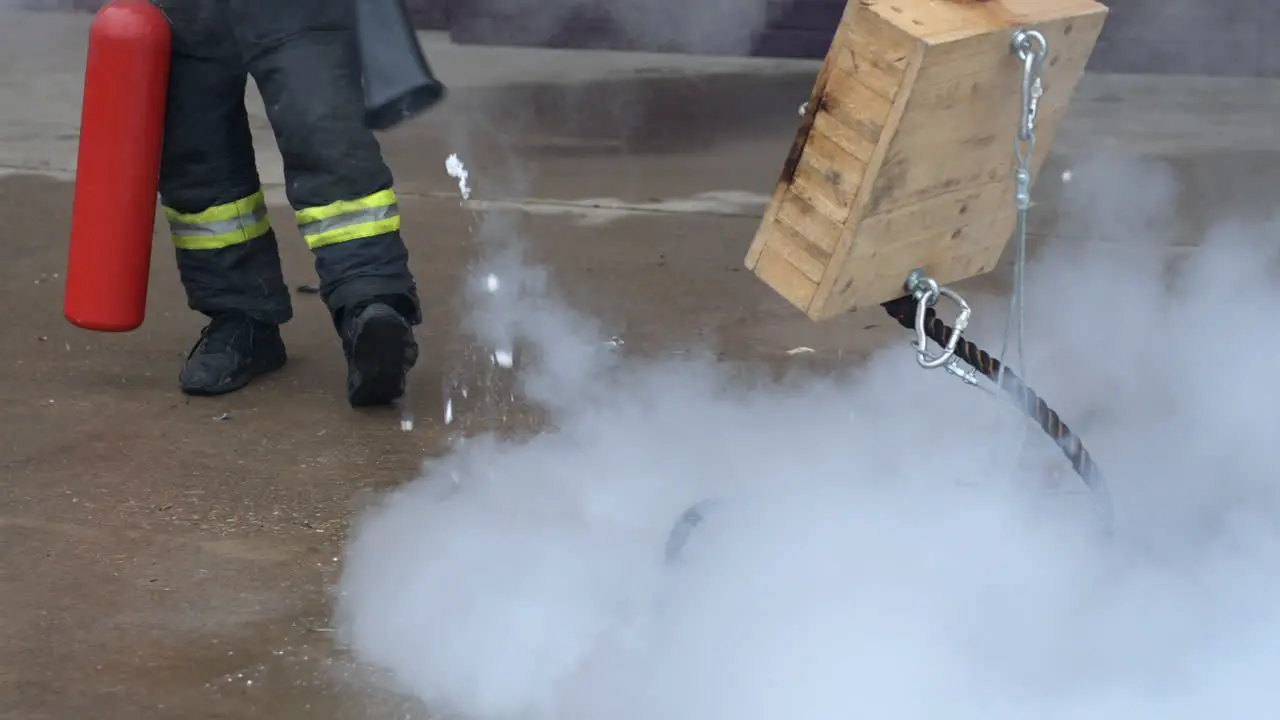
(381, 352)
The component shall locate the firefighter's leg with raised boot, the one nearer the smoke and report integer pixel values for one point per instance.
(304, 58)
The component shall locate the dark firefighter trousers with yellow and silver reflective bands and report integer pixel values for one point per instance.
(304, 60)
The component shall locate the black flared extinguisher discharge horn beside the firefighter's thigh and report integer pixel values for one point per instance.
(399, 83)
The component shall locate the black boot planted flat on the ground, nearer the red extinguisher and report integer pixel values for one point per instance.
(232, 350)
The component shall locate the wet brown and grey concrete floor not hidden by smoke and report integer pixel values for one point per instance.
(171, 558)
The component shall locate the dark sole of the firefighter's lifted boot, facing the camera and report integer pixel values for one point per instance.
(383, 353)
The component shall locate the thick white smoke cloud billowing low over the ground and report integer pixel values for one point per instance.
(874, 557)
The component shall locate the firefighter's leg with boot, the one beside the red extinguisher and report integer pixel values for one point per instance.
(212, 197)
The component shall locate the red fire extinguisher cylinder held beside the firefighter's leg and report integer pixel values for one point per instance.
(118, 167)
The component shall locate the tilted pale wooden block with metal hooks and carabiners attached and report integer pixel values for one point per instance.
(906, 156)
